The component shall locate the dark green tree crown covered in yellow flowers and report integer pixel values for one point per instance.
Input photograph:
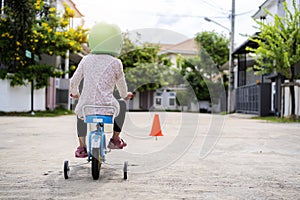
(29, 29)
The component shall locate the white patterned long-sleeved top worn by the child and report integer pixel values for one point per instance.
(100, 73)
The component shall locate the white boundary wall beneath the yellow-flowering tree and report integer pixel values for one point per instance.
(18, 99)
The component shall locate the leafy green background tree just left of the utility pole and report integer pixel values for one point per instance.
(201, 71)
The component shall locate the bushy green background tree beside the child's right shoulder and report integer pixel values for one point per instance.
(145, 70)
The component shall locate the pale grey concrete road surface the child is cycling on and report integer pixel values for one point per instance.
(200, 156)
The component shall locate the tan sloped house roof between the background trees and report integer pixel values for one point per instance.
(187, 47)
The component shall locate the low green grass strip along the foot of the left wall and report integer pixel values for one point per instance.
(46, 113)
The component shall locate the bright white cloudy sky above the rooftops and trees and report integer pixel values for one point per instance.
(172, 20)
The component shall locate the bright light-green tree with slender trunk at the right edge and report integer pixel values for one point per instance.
(279, 46)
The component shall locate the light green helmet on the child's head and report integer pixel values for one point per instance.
(105, 39)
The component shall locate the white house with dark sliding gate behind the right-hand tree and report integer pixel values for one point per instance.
(270, 100)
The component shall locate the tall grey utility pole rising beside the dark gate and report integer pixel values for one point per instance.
(231, 60)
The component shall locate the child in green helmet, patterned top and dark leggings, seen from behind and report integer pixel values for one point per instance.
(101, 72)
